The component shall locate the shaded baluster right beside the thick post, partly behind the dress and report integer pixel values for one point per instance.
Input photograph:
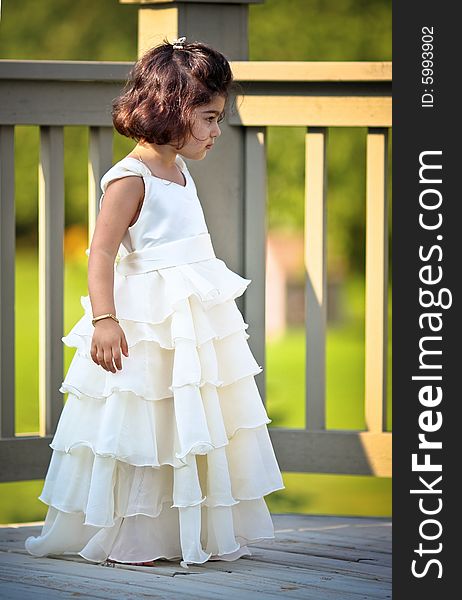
(255, 243)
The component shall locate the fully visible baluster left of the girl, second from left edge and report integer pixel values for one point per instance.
(51, 234)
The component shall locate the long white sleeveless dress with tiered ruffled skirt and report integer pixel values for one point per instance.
(169, 457)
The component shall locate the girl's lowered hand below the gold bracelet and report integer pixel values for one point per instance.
(108, 339)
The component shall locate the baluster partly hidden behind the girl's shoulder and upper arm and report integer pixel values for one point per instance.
(100, 160)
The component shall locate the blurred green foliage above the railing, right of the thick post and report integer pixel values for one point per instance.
(320, 30)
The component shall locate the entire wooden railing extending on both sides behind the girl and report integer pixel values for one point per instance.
(315, 96)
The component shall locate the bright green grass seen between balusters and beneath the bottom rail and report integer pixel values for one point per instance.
(304, 493)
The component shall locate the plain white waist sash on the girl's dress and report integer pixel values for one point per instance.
(171, 254)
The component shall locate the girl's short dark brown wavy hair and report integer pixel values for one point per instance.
(163, 89)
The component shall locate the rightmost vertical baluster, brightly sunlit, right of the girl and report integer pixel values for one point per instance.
(376, 280)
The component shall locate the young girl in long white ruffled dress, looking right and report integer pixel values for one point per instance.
(162, 449)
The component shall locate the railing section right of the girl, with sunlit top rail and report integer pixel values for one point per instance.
(318, 96)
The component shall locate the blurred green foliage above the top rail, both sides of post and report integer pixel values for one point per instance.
(278, 30)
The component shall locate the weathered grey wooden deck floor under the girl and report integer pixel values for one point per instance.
(312, 557)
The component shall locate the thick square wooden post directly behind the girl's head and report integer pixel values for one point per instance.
(224, 25)
